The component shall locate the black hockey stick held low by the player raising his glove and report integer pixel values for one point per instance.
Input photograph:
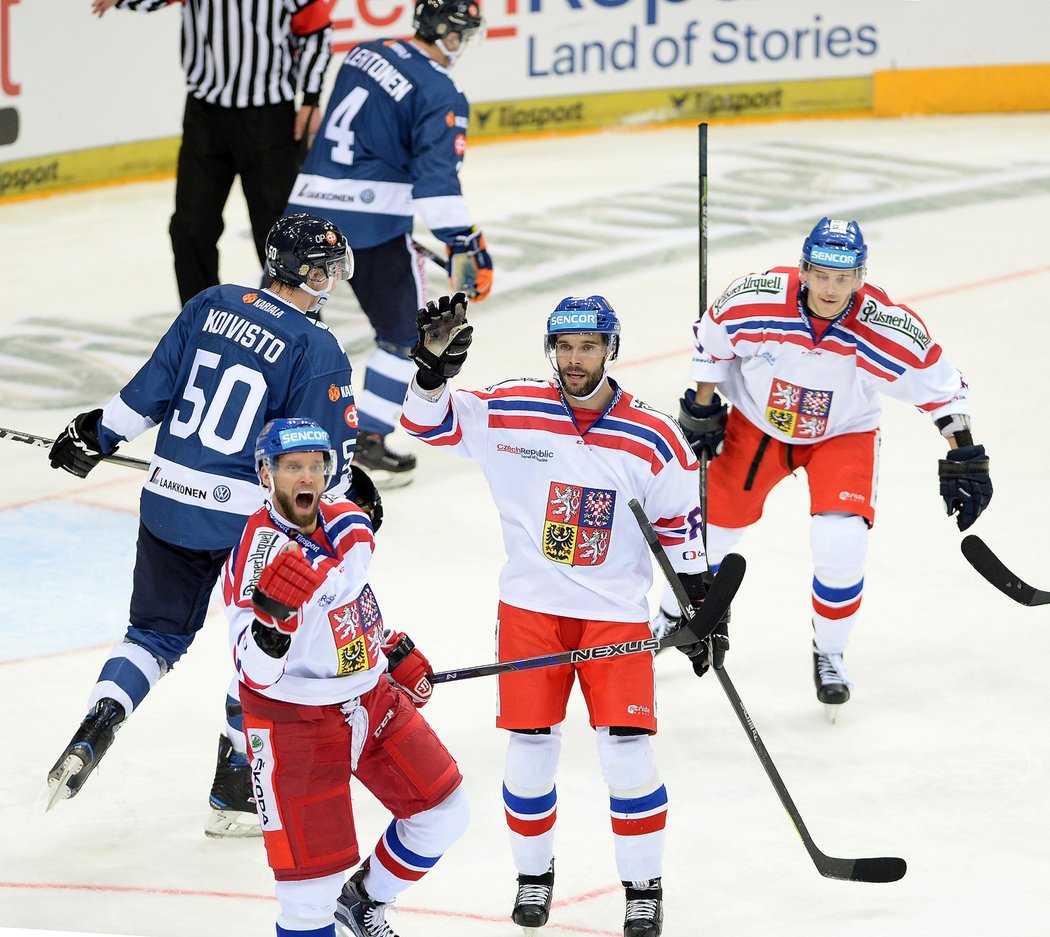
(883, 869)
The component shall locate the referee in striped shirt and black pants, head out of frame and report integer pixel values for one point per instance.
(244, 63)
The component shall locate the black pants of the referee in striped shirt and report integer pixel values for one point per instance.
(219, 144)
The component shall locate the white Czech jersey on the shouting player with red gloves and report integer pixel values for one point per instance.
(337, 654)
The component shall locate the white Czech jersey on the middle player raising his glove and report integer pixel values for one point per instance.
(574, 547)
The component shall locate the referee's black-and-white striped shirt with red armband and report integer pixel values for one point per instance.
(250, 53)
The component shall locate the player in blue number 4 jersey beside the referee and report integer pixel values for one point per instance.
(391, 148)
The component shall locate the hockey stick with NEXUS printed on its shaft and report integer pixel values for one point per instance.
(723, 590)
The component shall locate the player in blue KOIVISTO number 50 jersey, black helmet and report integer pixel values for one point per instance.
(235, 359)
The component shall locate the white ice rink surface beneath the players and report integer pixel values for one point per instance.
(942, 757)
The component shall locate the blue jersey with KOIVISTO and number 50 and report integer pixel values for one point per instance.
(235, 359)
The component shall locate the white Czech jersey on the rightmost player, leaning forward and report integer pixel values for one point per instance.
(758, 344)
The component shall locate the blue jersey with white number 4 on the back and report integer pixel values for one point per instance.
(392, 143)
